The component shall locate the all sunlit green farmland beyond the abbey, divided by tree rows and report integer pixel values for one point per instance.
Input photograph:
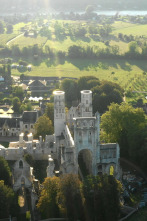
(126, 72)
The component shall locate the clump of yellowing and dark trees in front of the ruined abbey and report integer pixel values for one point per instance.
(96, 198)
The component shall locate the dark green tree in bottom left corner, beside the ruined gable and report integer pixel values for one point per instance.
(7, 198)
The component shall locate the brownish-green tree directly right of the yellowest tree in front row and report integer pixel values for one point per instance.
(70, 197)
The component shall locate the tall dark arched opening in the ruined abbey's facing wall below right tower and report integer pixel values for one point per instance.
(85, 162)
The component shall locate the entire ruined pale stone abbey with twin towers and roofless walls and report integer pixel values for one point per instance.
(63, 148)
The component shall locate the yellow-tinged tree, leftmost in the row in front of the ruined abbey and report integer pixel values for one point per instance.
(47, 203)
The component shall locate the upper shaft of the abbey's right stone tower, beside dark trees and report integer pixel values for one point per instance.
(86, 102)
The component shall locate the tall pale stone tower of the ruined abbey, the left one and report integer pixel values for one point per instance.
(59, 112)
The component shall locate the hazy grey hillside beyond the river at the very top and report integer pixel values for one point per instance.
(5, 5)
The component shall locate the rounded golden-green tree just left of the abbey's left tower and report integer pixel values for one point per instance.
(43, 127)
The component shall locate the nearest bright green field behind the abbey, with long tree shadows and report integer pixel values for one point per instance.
(127, 73)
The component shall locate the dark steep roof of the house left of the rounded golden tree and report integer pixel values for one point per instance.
(29, 117)
